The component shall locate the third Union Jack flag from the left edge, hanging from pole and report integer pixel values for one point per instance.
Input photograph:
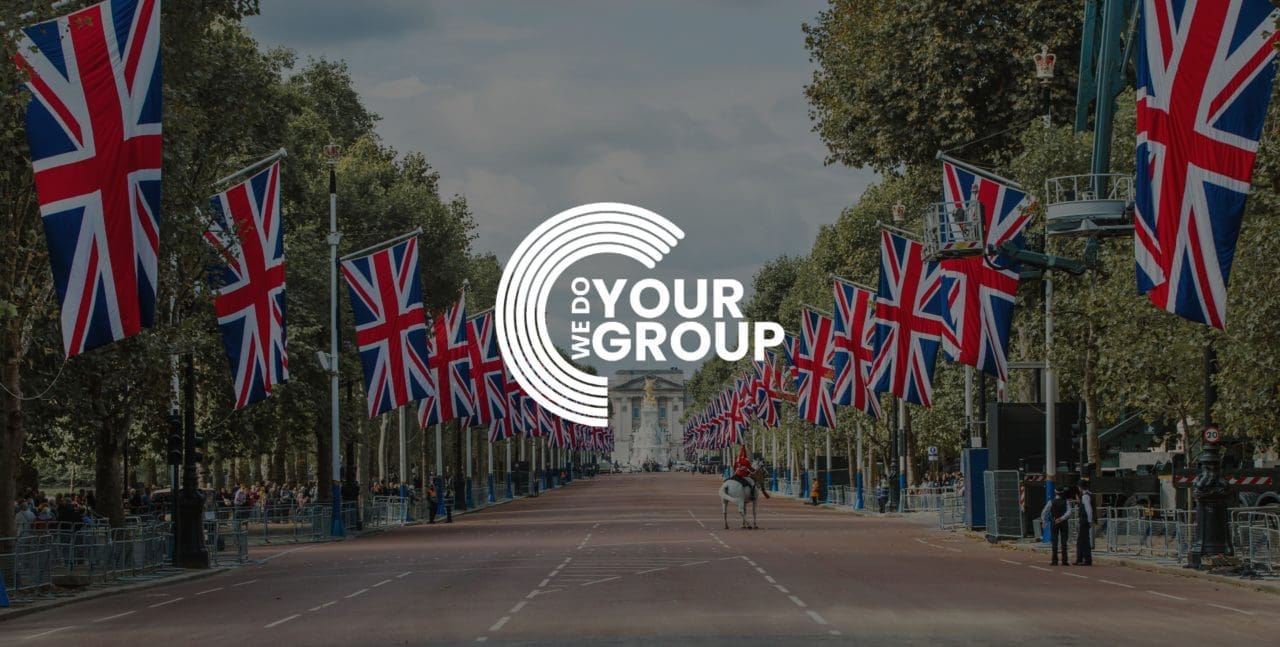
(391, 329)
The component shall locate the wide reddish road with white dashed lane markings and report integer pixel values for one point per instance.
(643, 559)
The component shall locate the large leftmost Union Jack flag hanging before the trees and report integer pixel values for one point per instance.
(94, 131)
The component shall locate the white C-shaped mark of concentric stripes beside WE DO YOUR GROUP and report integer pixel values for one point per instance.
(527, 284)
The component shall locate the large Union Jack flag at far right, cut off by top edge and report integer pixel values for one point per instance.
(1205, 75)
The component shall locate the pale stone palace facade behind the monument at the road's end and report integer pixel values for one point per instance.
(627, 394)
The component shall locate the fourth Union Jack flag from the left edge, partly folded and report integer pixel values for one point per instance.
(450, 363)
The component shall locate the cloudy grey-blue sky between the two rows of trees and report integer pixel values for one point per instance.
(693, 110)
